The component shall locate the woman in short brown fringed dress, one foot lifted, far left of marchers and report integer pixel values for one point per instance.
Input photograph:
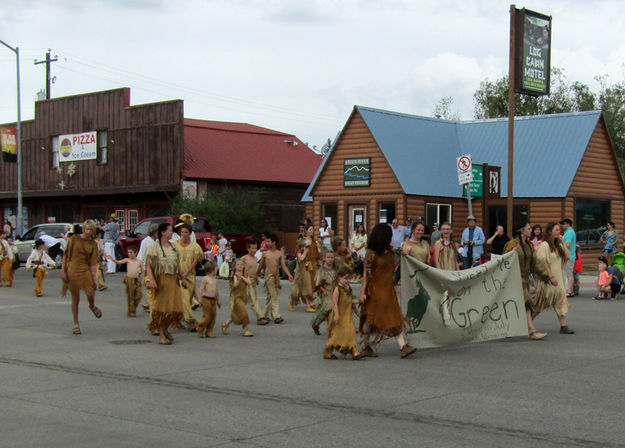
(79, 270)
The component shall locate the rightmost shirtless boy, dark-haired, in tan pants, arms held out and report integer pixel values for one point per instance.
(270, 262)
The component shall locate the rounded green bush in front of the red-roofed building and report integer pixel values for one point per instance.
(229, 209)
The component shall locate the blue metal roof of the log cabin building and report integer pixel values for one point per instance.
(422, 151)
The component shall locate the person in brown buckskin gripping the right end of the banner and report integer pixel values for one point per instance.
(529, 265)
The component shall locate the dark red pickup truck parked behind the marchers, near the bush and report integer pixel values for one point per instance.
(201, 228)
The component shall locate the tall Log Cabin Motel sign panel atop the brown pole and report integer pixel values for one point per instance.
(533, 52)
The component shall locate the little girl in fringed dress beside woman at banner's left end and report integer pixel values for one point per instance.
(341, 328)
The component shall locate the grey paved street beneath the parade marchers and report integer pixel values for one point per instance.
(114, 386)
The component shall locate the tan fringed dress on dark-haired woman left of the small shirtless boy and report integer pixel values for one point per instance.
(167, 301)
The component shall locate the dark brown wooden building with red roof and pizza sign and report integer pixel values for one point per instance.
(87, 156)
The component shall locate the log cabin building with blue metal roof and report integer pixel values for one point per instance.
(386, 165)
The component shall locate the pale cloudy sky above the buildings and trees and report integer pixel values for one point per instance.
(291, 65)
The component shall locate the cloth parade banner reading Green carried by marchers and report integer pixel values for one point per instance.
(456, 307)
